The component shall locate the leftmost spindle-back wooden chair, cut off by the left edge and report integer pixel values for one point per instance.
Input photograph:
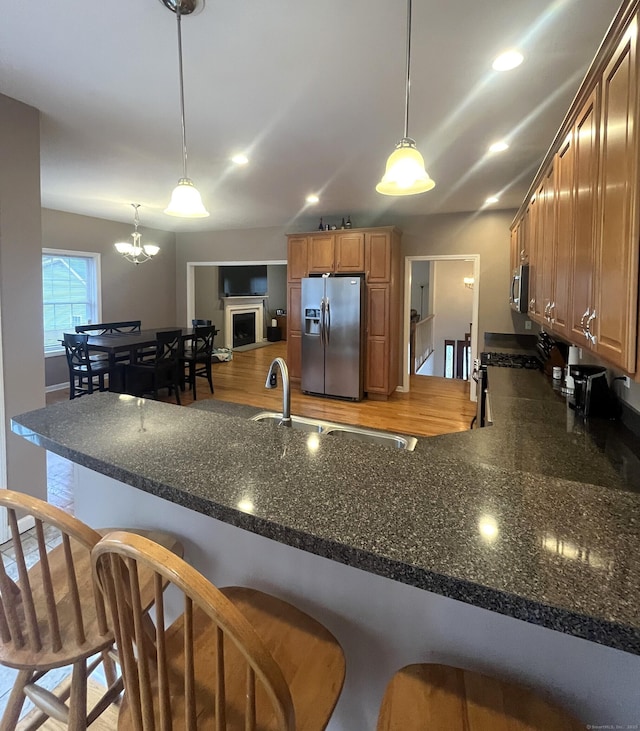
(51, 617)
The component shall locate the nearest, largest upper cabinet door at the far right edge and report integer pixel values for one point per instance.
(613, 319)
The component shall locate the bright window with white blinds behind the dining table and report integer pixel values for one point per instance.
(70, 293)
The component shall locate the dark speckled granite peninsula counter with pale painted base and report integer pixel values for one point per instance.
(437, 554)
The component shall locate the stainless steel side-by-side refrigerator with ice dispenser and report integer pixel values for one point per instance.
(332, 336)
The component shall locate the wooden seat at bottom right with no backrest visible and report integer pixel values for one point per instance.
(441, 697)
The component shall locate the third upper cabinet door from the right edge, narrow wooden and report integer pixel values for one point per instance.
(565, 175)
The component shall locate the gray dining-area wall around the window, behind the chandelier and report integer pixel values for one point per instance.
(144, 292)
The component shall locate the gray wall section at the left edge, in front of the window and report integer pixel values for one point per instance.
(21, 291)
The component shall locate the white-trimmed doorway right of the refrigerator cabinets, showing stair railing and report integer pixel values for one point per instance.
(436, 289)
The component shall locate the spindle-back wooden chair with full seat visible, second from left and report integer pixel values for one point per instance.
(235, 658)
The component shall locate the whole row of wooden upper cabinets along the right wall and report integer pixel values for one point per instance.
(584, 248)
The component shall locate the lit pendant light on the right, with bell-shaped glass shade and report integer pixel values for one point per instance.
(405, 173)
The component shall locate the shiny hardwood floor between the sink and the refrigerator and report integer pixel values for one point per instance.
(432, 406)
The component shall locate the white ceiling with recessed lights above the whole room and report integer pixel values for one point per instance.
(312, 91)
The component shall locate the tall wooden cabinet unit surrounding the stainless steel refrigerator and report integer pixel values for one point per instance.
(374, 252)
